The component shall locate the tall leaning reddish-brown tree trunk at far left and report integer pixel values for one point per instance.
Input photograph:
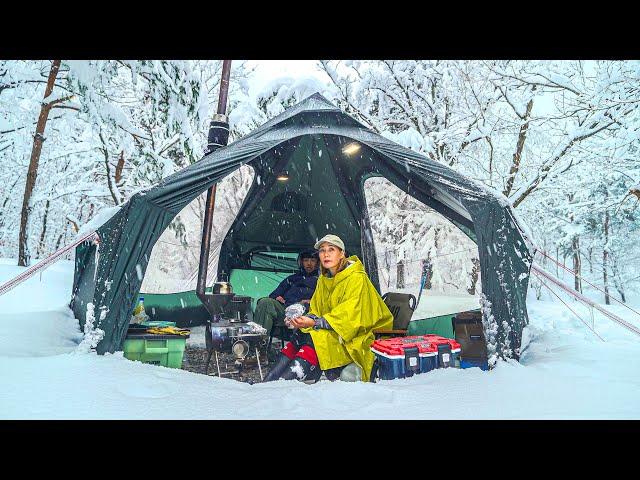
(24, 258)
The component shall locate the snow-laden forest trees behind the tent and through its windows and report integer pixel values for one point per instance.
(559, 140)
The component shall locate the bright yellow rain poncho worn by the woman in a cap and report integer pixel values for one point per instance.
(353, 307)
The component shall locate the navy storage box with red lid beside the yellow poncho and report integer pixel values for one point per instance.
(402, 357)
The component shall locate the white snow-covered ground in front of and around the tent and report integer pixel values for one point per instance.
(566, 372)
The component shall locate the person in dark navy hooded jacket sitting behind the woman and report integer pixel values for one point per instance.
(296, 288)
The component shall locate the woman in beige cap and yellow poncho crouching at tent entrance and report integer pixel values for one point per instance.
(338, 330)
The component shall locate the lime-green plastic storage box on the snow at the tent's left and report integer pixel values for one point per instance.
(165, 350)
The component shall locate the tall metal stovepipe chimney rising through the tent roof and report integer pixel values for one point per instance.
(218, 137)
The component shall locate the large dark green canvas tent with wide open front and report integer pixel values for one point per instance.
(309, 145)
